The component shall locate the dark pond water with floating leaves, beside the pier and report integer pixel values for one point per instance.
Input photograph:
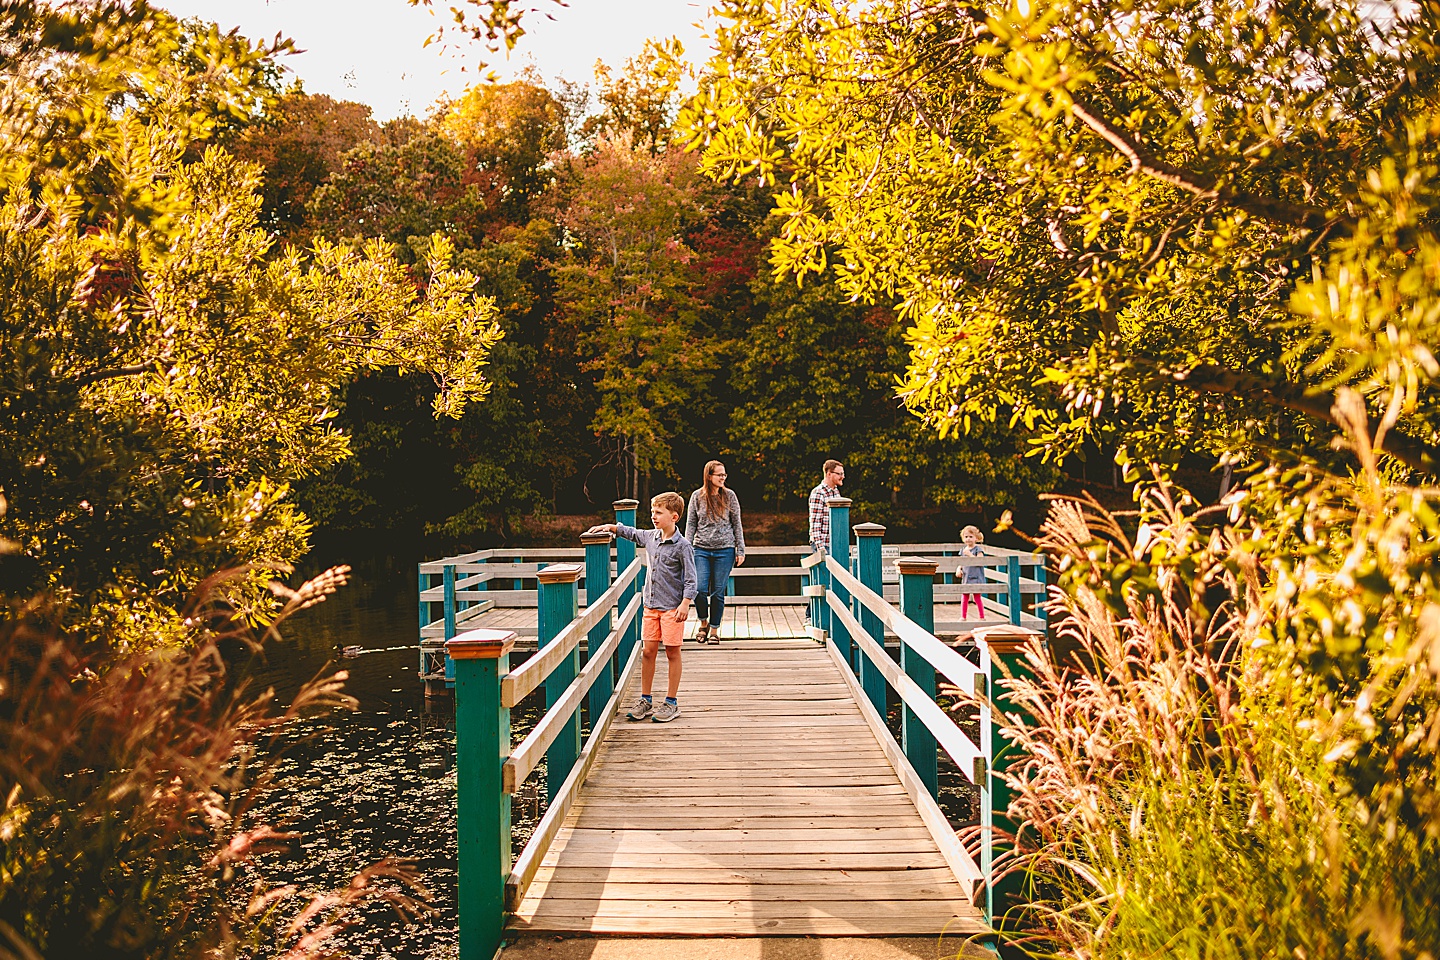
(381, 782)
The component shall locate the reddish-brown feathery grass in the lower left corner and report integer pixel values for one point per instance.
(127, 791)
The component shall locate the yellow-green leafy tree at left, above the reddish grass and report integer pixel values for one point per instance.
(165, 373)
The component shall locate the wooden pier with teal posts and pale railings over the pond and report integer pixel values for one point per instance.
(780, 804)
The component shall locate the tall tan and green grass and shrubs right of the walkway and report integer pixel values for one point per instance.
(1233, 745)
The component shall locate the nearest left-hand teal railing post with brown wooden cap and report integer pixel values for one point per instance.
(483, 823)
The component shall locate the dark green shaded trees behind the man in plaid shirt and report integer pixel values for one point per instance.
(814, 378)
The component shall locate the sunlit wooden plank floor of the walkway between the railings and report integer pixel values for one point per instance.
(767, 808)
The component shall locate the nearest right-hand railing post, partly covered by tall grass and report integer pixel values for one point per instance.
(1002, 657)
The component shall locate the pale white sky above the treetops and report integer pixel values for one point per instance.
(372, 51)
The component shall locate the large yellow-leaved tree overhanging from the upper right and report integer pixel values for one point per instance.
(1143, 186)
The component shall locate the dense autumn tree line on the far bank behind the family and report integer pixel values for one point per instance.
(644, 327)
